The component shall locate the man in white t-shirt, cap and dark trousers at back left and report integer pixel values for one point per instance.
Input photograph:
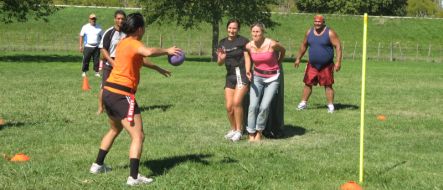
(90, 37)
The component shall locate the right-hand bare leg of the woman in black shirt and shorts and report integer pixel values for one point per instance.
(238, 107)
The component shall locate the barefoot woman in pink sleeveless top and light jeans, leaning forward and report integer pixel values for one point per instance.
(267, 56)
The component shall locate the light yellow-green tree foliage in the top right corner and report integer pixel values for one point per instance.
(422, 8)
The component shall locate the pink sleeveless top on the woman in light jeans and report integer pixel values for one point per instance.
(266, 61)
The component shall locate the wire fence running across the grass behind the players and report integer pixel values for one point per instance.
(199, 46)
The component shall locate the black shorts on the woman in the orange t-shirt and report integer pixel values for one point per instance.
(117, 105)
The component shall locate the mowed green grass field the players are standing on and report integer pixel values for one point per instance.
(50, 118)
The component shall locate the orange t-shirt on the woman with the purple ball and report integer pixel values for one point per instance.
(126, 71)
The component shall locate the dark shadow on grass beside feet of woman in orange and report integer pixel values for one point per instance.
(162, 166)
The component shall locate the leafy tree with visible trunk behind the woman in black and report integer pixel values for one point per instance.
(189, 13)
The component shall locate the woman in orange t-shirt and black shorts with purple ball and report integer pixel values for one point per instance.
(119, 91)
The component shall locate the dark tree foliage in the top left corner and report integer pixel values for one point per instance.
(21, 10)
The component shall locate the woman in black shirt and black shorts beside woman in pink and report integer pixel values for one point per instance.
(233, 54)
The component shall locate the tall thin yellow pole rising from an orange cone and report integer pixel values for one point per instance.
(362, 101)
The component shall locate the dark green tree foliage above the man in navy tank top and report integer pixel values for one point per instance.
(372, 7)
